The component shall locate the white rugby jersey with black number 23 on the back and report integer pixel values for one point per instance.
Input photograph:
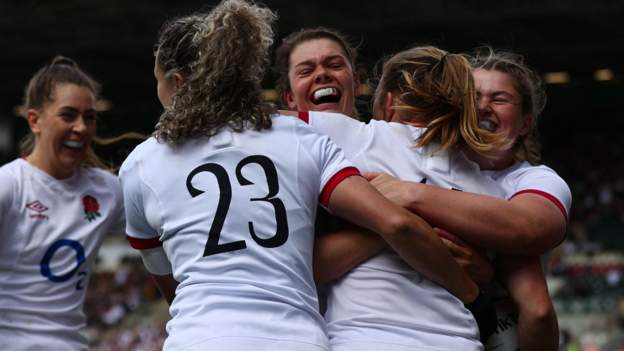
(235, 216)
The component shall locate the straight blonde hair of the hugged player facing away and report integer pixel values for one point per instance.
(437, 88)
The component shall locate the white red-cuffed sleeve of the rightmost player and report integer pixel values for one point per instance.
(543, 181)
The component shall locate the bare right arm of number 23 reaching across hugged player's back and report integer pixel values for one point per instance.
(409, 235)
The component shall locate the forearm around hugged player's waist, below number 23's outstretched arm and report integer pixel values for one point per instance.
(338, 252)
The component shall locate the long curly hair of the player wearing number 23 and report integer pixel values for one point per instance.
(222, 56)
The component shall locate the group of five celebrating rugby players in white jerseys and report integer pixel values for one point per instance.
(222, 200)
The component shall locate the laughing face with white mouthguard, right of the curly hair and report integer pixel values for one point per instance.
(321, 78)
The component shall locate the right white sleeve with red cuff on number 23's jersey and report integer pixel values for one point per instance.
(334, 167)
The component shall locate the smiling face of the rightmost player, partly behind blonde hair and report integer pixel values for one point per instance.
(500, 107)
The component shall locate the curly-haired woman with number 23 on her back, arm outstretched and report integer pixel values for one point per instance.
(221, 202)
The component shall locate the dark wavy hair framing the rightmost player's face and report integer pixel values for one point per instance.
(529, 85)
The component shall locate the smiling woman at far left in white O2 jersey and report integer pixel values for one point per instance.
(56, 206)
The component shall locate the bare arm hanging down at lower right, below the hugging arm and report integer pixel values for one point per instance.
(537, 322)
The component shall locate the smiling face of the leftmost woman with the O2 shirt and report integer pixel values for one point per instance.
(64, 129)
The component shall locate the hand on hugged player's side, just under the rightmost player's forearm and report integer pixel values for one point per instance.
(473, 261)
